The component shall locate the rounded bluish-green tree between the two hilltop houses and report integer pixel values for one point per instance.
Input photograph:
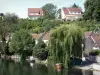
(49, 11)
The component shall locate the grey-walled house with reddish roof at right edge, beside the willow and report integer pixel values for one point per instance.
(91, 41)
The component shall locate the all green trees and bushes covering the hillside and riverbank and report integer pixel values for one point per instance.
(66, 37)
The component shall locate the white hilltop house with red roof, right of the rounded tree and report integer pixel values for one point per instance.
(71, 14)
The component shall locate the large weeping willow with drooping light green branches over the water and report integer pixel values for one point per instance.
(65, 42)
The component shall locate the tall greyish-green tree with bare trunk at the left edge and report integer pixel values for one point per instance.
(8, 24)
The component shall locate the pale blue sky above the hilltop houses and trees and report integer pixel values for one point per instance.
(20, 7)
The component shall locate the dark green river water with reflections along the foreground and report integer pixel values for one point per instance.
(25, 68)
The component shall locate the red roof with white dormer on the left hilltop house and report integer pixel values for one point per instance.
(33, 11)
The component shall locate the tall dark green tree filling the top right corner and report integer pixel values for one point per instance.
(92, 10)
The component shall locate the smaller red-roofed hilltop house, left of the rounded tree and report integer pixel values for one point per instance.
(35, 13)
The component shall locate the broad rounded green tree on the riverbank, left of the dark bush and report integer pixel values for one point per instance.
(22, 43)
